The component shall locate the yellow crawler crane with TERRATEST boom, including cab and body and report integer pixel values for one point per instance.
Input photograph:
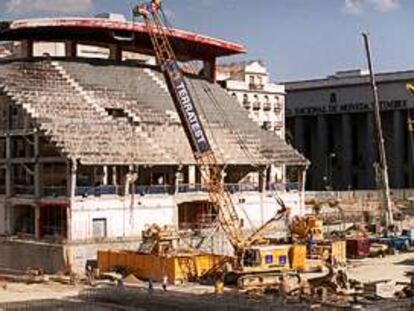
(255, 262)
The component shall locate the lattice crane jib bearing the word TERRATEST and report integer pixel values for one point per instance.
(190, 119)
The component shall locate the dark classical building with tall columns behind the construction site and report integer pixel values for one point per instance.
(331, 121)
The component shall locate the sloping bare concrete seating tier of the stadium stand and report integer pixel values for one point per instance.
(102, 112)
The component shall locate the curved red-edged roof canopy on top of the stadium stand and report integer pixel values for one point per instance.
(131, 37)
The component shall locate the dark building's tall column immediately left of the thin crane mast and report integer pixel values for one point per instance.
(370, 154)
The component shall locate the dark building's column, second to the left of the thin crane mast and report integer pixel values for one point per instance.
(346, 151)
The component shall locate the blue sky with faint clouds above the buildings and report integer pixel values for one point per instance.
(297, 39)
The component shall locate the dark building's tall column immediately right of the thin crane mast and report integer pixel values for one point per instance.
(396, 158)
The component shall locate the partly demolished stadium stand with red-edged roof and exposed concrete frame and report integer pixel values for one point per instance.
(92, 150)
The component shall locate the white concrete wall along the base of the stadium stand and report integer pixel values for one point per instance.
(128, 220)
